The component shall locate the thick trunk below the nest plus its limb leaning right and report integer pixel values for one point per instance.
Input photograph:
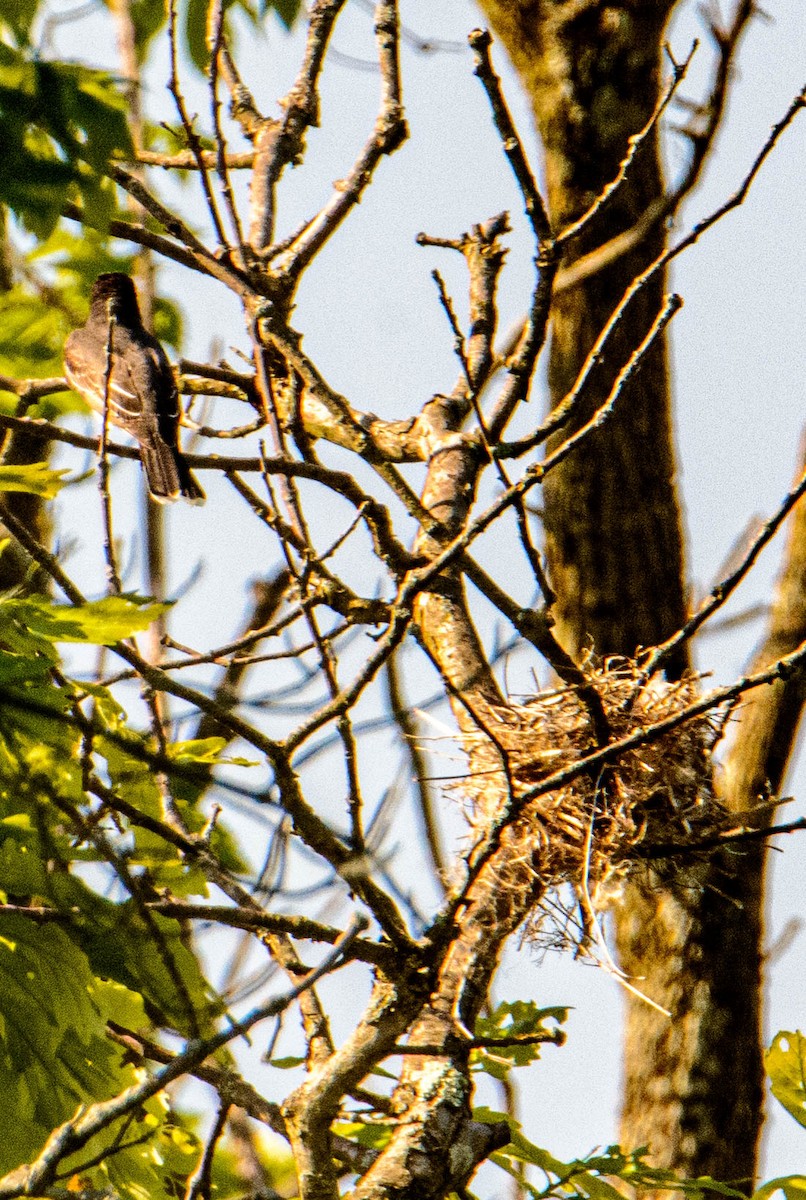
(707, 1072)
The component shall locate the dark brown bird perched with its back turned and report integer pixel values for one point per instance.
(137, 387)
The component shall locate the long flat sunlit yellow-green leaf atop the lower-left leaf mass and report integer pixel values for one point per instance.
(99, 622)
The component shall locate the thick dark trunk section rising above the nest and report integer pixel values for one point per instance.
(612, 518)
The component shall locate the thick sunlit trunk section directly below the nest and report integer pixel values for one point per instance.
(693, 1088)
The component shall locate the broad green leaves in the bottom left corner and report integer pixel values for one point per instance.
(56, 1055)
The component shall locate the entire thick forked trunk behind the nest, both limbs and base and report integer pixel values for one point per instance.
(694, 1083)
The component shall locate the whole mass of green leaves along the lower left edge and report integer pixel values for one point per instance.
(79, 951)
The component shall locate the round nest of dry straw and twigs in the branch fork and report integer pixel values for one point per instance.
(653, 803)
